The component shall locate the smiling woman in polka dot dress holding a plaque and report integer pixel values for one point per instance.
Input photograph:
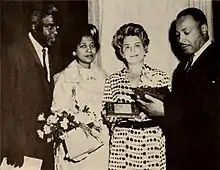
(138, 143)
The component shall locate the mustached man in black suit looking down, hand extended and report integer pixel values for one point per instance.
(192, 109)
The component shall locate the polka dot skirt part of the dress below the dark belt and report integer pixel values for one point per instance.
(137, 149)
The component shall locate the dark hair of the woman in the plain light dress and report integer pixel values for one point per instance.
(88, 30)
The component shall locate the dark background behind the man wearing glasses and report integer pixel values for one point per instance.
(14, 17)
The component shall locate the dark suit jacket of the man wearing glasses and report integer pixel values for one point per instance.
(27, 94)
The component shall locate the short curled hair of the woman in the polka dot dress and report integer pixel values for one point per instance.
(129, 29)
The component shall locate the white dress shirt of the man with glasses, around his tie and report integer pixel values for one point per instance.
(39, 51)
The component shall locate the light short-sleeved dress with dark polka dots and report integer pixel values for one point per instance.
(135, 148)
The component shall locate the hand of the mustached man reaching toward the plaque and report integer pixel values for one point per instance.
(153, 108)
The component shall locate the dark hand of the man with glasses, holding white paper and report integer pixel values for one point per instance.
(15, 159)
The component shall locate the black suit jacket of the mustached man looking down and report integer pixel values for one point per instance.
(192, 112)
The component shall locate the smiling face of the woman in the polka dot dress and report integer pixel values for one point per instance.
(133, 50)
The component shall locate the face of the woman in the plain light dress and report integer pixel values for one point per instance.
(86, 51)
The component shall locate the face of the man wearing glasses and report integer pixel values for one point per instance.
(49, 31)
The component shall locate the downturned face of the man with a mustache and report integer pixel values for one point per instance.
(189, 34)
